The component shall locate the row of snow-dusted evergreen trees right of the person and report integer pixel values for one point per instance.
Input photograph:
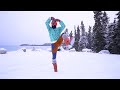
(102, 36)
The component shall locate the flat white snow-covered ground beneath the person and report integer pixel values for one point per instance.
(71, 65)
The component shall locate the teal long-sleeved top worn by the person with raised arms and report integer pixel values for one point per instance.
(54, 33)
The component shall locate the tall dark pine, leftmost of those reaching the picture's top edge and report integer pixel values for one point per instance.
(98, 34)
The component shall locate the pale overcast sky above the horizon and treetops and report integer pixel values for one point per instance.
(17, 27)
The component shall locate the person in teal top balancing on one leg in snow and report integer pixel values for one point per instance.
(55, 36)
